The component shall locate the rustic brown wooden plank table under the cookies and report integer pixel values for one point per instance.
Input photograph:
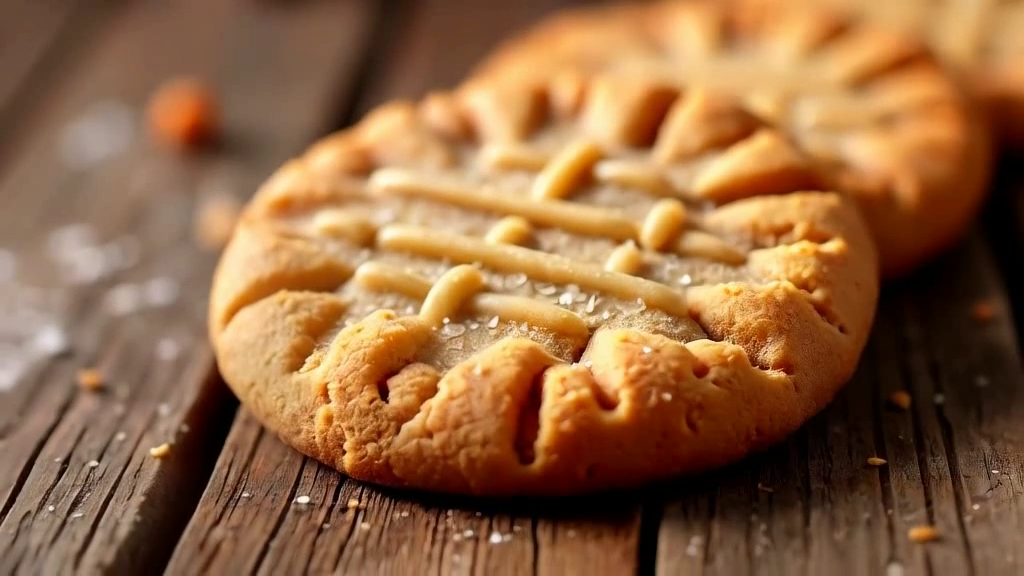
(79, 491)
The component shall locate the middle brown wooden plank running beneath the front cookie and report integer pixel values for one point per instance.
(390, 533)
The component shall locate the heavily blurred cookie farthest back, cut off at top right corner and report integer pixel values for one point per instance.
(984, 39)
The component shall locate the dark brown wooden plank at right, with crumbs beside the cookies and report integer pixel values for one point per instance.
(816, 507)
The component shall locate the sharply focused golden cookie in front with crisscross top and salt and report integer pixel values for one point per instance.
(529, 292)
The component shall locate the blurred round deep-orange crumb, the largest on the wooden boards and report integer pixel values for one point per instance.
(184, 113)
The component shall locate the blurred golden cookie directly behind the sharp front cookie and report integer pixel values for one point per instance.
(879, 115)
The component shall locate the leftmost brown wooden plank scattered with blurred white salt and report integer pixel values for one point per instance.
(80, 489)
